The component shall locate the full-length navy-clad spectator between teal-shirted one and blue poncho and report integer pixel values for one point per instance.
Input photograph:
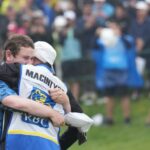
(85, 31)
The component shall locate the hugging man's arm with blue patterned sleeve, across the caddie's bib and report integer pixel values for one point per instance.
(10, 99)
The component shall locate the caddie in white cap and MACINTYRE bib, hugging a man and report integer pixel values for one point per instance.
(27, 132)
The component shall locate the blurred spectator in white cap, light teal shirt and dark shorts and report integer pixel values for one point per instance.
(71, 54)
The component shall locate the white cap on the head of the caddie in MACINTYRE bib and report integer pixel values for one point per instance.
(44, 52)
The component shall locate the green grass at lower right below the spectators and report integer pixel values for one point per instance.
(120, 136)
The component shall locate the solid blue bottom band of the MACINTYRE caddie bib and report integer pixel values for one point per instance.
(25, 142)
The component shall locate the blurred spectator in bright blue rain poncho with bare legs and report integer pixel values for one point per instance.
(115, 61)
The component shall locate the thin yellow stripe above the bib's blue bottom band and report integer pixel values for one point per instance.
(32, 133)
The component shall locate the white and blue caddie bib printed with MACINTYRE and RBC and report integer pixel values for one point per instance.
(38, 132)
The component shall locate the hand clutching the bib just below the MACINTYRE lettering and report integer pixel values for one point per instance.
(60, 97)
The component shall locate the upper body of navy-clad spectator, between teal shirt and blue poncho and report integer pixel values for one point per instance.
(85, 30)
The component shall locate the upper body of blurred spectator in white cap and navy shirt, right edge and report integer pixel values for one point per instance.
(139, 28)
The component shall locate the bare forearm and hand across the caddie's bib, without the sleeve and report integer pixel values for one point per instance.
(33, 108)
